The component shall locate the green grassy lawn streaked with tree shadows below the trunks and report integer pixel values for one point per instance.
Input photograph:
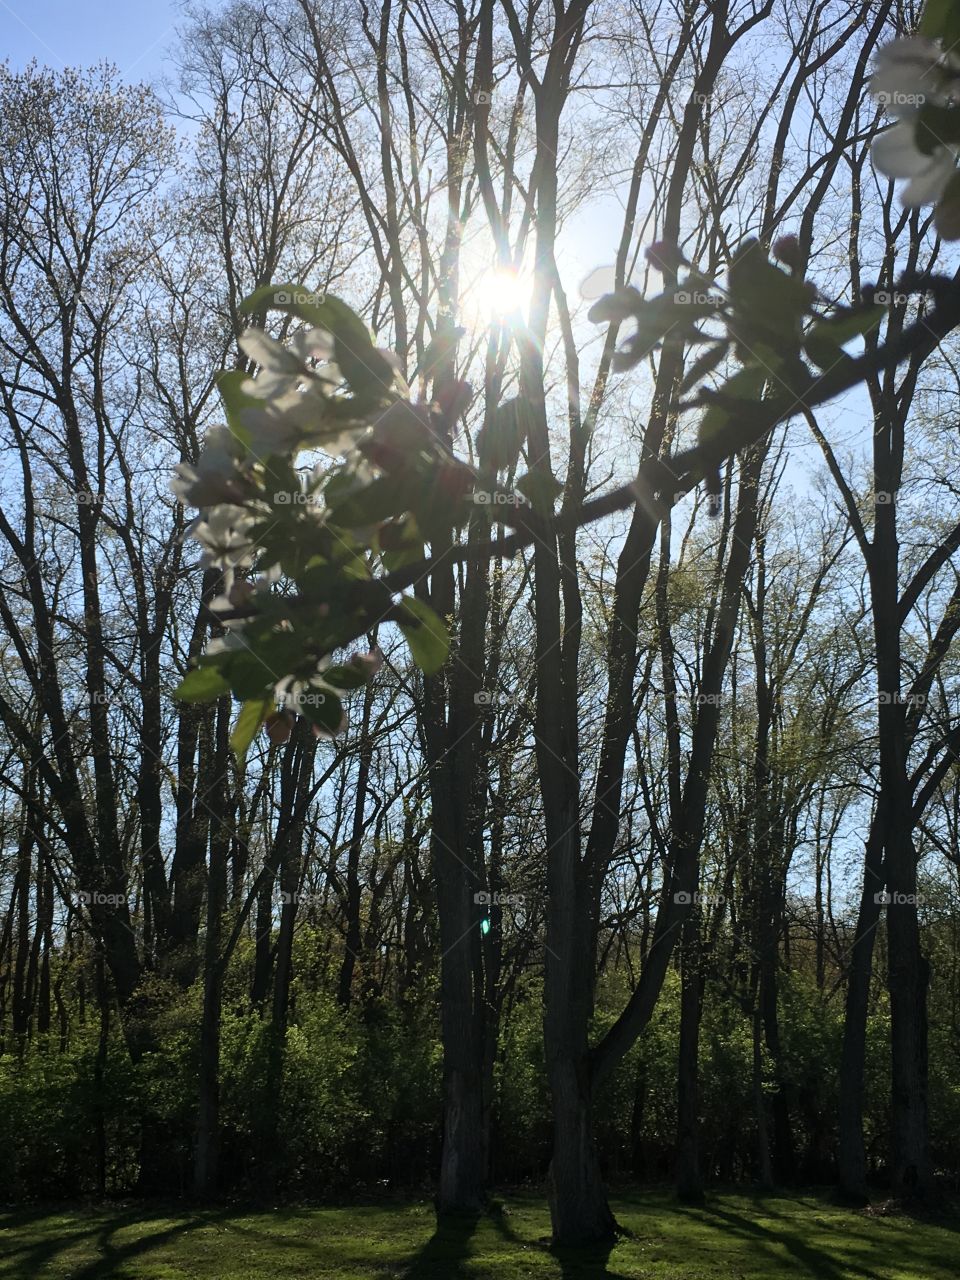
(733, 1237)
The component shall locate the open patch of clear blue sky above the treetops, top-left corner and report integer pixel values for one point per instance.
(131, 34)
